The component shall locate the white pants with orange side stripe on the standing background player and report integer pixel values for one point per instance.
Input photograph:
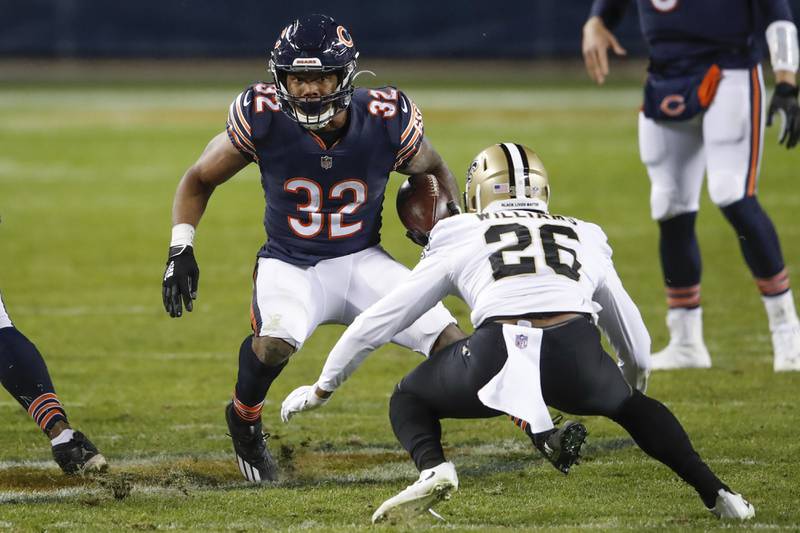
(725, 142)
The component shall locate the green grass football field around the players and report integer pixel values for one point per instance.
(87, 175)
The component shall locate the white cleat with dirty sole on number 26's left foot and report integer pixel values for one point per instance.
(434, 485)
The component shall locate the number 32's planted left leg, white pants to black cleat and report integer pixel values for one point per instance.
(284, 308)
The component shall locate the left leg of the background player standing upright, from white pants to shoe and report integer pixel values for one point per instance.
(675, 160)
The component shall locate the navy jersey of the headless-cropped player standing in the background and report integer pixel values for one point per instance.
(687, 36)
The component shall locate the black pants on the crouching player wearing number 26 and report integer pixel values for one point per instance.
(577, 377)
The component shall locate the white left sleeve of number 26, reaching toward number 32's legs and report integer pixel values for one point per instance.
(428, 283)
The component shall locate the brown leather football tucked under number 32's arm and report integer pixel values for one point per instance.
(421, 202)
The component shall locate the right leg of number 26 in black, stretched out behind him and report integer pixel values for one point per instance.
(579, 377)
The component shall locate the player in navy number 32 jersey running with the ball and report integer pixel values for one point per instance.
(325, 151)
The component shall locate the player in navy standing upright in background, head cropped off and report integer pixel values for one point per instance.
(704, 112)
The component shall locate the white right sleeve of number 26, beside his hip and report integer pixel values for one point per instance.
(619, 318)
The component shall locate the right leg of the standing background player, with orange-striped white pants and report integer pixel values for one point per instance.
(733, 135)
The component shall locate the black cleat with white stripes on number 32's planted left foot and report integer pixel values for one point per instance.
(249, 443)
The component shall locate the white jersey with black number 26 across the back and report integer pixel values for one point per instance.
(509, 263)
